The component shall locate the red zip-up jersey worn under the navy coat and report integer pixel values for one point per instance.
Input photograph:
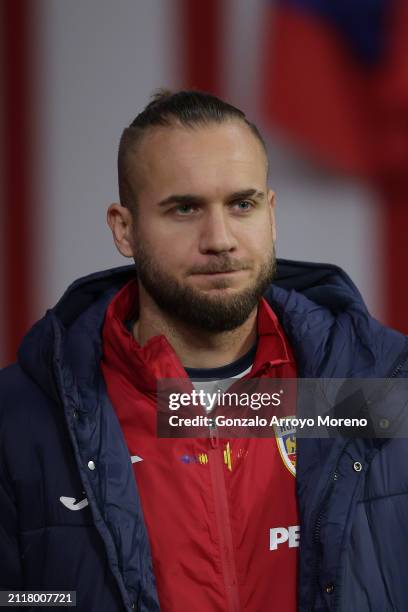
(221, 514)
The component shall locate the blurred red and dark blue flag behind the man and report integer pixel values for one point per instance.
(336, 78)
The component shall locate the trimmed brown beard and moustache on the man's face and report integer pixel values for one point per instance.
(195, 307)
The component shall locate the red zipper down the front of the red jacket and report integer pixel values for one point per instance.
(226, 547)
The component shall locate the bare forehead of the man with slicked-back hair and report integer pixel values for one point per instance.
(199, 159)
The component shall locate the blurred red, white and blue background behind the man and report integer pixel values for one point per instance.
(326, 82)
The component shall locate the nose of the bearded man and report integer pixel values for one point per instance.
(216, 234)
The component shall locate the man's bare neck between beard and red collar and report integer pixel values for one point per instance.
(195, 348)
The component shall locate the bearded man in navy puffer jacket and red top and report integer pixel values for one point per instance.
(93, 501)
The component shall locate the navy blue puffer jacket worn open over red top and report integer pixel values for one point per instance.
(59, 436)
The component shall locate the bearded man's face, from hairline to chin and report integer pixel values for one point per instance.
(204, 232)
